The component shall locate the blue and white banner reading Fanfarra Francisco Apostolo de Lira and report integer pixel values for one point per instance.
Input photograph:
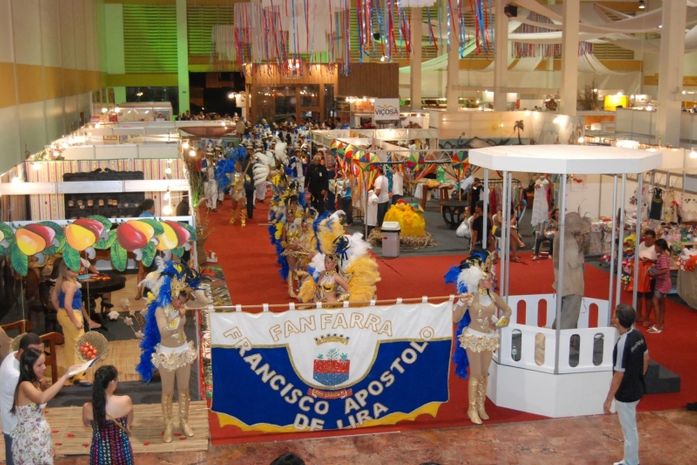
(330, 368)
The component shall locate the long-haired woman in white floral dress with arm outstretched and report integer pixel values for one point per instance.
(31, 438)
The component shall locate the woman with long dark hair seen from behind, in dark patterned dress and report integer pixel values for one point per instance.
(110, 417)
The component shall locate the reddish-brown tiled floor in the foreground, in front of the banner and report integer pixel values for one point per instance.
(667, 438)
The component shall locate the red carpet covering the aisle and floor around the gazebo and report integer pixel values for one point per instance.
(249, 262)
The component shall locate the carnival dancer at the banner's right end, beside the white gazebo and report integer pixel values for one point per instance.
(477, 311)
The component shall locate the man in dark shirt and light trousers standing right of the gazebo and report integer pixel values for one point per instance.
(630, 360)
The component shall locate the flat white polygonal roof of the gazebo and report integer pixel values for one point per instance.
(565, 159)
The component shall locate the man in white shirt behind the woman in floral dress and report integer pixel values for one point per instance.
(9, 375)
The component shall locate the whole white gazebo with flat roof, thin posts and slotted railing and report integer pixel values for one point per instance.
(533, 370)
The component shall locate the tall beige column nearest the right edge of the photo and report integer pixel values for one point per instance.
(670, 64)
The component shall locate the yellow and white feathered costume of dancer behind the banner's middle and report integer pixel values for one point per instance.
(358, 267)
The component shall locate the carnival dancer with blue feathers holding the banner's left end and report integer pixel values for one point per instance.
(164, 345)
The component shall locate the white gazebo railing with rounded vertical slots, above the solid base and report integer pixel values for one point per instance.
(526, 344)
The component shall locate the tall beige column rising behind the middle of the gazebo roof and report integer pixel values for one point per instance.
(569, 58)
